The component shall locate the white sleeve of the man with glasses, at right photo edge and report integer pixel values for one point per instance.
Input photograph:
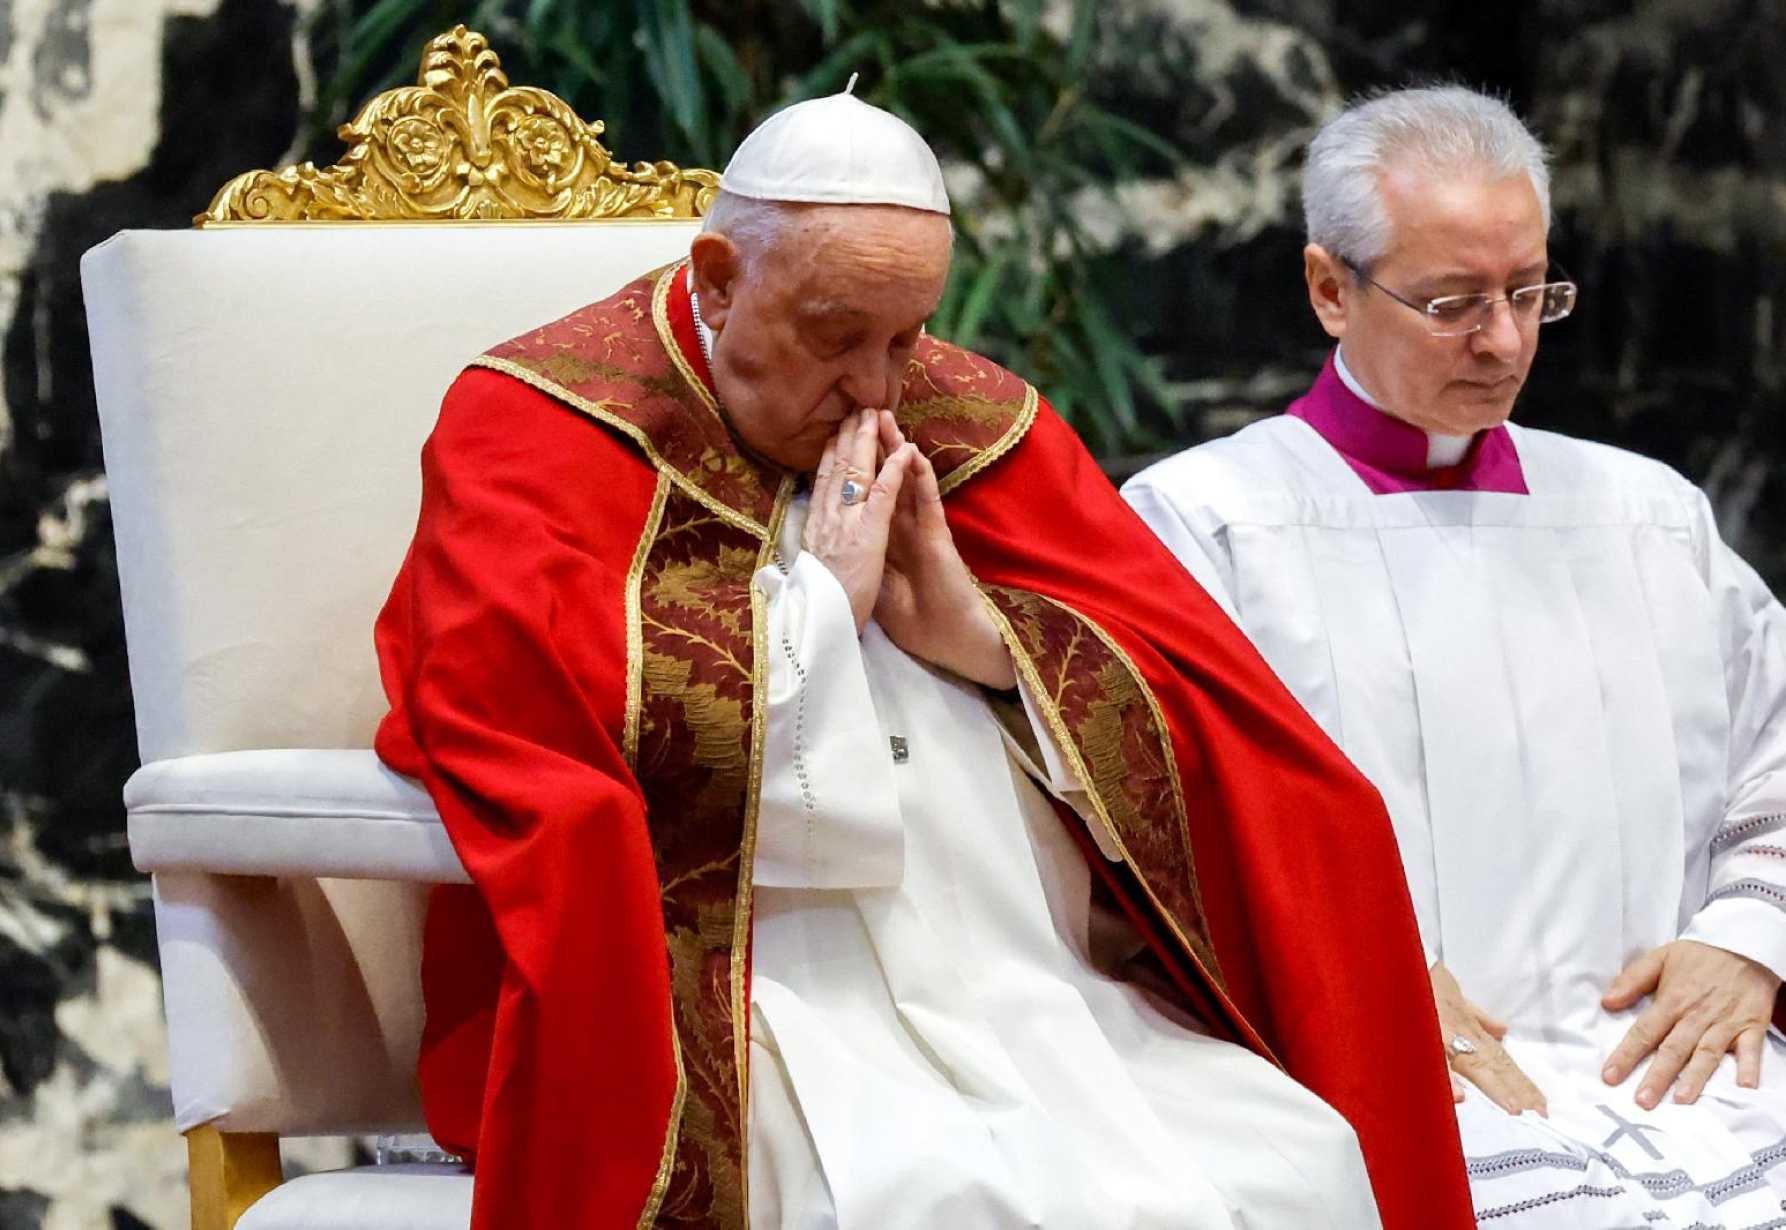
(1746, 902)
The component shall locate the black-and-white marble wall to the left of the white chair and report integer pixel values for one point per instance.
(124, 113)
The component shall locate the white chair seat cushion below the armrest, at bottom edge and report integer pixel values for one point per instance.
(367, 1199)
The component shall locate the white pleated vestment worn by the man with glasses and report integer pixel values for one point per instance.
(1574, 704)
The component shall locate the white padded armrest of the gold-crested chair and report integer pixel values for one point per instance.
(287, 813)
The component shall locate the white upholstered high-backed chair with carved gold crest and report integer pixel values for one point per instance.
(265, 386)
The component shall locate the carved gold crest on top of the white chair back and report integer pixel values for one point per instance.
(463, 145)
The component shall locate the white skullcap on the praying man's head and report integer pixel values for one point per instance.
(837, 151)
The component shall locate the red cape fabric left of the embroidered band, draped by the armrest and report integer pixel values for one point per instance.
(547, 1054)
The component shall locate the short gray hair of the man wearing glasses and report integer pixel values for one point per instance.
(1444, 129)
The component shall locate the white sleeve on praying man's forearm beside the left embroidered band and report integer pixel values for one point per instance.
(830, 808)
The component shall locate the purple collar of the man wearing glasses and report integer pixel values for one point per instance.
(1390, 456)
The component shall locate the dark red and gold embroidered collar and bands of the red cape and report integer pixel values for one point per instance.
(697, 660)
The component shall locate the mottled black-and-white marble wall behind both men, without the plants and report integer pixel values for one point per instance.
(1669, 121)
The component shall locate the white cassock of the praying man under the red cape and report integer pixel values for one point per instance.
(931, 1043)
